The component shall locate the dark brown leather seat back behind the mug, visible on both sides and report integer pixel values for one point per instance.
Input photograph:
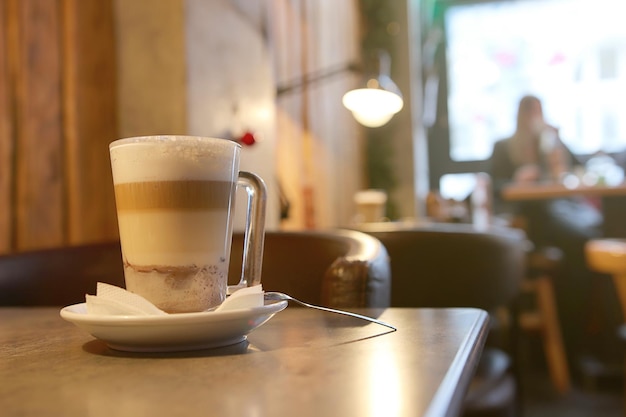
(334, 268)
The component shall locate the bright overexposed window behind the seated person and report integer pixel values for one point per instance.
(570, 53)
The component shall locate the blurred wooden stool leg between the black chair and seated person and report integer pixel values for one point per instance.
(542, 265)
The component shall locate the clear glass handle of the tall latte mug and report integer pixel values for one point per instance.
(254, 234)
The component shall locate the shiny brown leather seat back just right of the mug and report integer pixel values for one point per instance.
(333, 268)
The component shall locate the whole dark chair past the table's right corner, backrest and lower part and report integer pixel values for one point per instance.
(454, 265)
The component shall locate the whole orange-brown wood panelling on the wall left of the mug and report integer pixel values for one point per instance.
(57, 117)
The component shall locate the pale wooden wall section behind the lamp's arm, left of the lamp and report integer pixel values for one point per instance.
(319, 145)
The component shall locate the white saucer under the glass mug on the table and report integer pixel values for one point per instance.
(172, 332)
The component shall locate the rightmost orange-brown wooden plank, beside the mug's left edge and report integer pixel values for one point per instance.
(90, 119)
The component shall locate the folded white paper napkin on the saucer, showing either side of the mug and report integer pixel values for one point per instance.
(112, 300)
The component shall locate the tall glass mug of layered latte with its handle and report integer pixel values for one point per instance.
(175, 198)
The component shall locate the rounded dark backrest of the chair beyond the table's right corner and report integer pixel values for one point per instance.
(452, 265)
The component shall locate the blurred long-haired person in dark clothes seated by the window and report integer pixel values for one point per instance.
(535, 153)
